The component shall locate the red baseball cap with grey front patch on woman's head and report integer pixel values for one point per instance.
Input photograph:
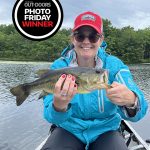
(89, 19)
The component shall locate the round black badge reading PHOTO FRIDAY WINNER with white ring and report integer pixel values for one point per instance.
(38, 19)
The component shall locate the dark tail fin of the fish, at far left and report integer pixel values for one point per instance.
(21, 92)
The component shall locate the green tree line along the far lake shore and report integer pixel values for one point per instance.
(126, 43)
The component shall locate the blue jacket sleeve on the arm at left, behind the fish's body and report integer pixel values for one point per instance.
(50, 114)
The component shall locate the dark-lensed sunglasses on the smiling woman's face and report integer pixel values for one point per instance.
(93, 37)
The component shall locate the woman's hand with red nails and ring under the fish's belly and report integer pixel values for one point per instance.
(65, 89)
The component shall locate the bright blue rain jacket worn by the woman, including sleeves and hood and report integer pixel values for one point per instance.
(93, 114)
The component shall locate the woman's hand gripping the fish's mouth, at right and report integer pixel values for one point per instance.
(120, 95)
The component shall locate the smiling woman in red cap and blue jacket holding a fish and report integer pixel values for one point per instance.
(91, 120)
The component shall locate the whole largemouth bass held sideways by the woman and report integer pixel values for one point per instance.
(87, 79)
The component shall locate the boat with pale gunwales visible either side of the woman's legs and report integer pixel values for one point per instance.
(133, 140)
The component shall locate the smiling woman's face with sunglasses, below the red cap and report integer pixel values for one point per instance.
(86, 42)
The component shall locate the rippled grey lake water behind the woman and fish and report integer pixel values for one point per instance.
(23, 127)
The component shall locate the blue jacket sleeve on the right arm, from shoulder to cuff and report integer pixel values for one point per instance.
(120, 73)
